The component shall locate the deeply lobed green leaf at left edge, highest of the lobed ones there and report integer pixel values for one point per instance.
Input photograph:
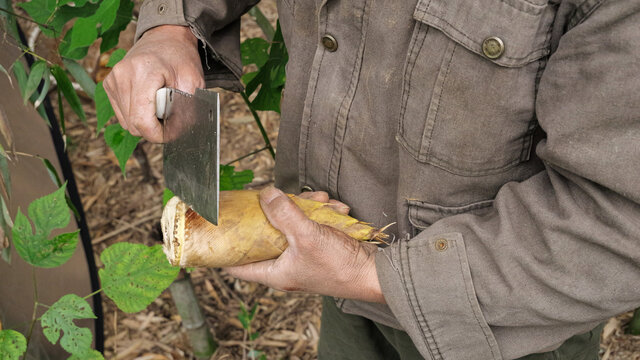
(47, 213)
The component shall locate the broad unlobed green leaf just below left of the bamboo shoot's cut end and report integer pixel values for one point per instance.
(134, 274)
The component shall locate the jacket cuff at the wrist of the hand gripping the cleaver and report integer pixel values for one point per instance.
(159, 12)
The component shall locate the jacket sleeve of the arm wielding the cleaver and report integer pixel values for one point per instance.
(216, 24)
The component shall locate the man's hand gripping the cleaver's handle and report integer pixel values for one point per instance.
(166, 55)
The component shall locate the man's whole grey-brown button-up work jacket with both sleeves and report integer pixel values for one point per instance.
(503, 137)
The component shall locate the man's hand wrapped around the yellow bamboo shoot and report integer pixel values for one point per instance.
(319, 259)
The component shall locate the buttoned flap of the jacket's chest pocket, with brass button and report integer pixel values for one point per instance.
(524, 26)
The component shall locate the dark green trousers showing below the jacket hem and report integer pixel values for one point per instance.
(351, 337)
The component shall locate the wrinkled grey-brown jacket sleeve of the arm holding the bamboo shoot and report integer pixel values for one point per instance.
(559, 252)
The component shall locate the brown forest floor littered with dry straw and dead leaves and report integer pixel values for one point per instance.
(128, 209)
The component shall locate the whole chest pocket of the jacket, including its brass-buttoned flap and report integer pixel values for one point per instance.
(469, 87)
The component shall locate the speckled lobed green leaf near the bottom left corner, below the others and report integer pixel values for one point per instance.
(59, 318)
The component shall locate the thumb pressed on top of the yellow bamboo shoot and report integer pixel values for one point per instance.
(284, 214)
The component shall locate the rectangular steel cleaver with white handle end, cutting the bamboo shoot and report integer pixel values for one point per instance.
(191, 154)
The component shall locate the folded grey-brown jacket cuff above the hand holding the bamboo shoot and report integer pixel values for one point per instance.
(426, 282)
